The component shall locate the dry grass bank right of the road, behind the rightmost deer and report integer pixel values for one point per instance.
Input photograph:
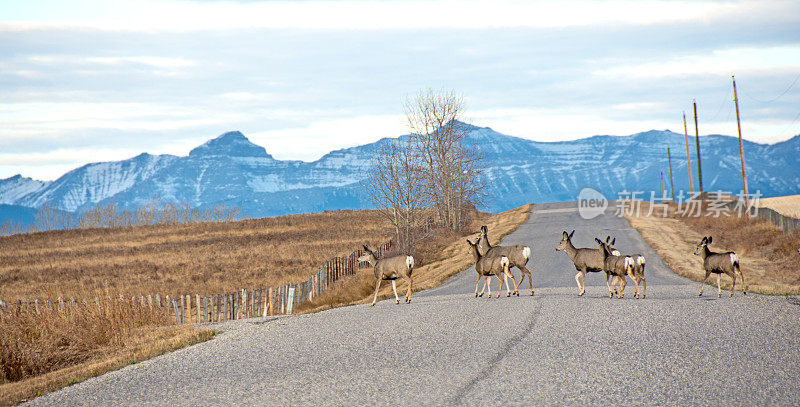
(768, 257)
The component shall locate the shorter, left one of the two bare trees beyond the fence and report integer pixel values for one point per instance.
(397, 188)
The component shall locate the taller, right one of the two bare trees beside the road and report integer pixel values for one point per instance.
(451, 170)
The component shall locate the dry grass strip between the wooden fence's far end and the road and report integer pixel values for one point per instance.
(448, 255)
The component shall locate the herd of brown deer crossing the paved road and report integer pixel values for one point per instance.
(497, 261)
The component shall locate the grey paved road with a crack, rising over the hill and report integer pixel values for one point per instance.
(448, 347)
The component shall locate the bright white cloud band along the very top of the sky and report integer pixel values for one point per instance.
(151, 15)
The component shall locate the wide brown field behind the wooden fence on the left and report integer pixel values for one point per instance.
(179, 259)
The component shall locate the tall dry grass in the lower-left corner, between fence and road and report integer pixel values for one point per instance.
(54, 349)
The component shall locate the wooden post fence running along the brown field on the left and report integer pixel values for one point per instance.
(244, 303)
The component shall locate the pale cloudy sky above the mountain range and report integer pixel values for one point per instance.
(85, 81)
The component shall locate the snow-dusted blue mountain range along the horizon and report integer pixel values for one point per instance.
(230, 169)
